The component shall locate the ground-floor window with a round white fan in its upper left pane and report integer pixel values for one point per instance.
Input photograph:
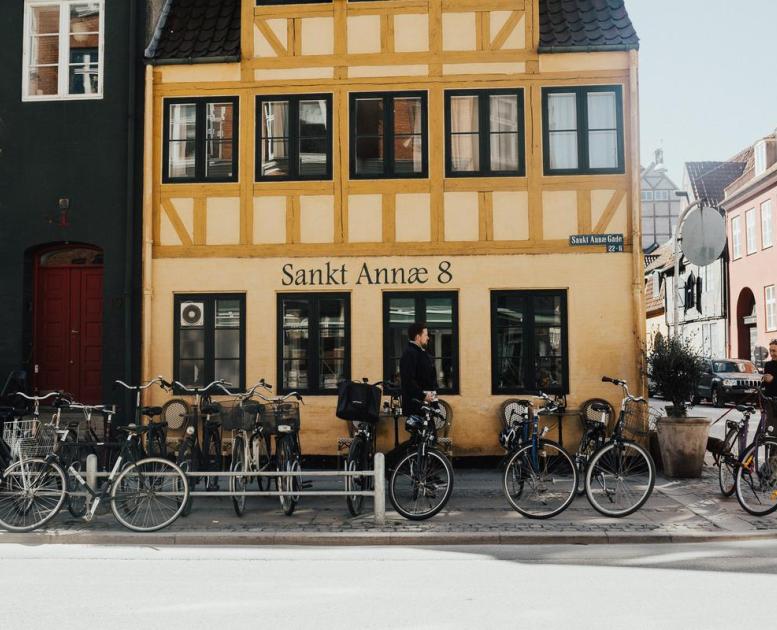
(209, 339)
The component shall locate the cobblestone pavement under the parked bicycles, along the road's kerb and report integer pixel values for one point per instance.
(677, 510)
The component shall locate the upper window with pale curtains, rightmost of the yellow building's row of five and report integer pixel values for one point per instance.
(583, 130)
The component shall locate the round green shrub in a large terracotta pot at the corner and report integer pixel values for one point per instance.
(676, 369)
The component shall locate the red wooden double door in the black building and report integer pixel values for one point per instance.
(68, 336)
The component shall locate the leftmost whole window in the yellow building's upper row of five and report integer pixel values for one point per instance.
(200, 142)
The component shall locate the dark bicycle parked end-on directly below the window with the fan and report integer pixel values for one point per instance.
(191, 457)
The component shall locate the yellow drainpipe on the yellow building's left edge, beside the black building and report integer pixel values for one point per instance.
(148, 235)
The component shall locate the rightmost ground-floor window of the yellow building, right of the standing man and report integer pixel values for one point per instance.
(529, 342)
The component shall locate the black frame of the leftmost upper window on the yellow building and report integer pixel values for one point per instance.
(200, 104)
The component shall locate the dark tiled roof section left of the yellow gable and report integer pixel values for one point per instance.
(197, 29)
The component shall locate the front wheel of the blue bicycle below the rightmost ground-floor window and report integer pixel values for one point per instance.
(540, 482)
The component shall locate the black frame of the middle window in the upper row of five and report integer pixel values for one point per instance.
(388, 134)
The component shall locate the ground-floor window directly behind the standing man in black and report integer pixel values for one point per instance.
(440, 312)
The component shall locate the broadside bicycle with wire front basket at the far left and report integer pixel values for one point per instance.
(145, 494)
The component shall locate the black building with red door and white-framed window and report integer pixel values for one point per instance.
(70, 160)
